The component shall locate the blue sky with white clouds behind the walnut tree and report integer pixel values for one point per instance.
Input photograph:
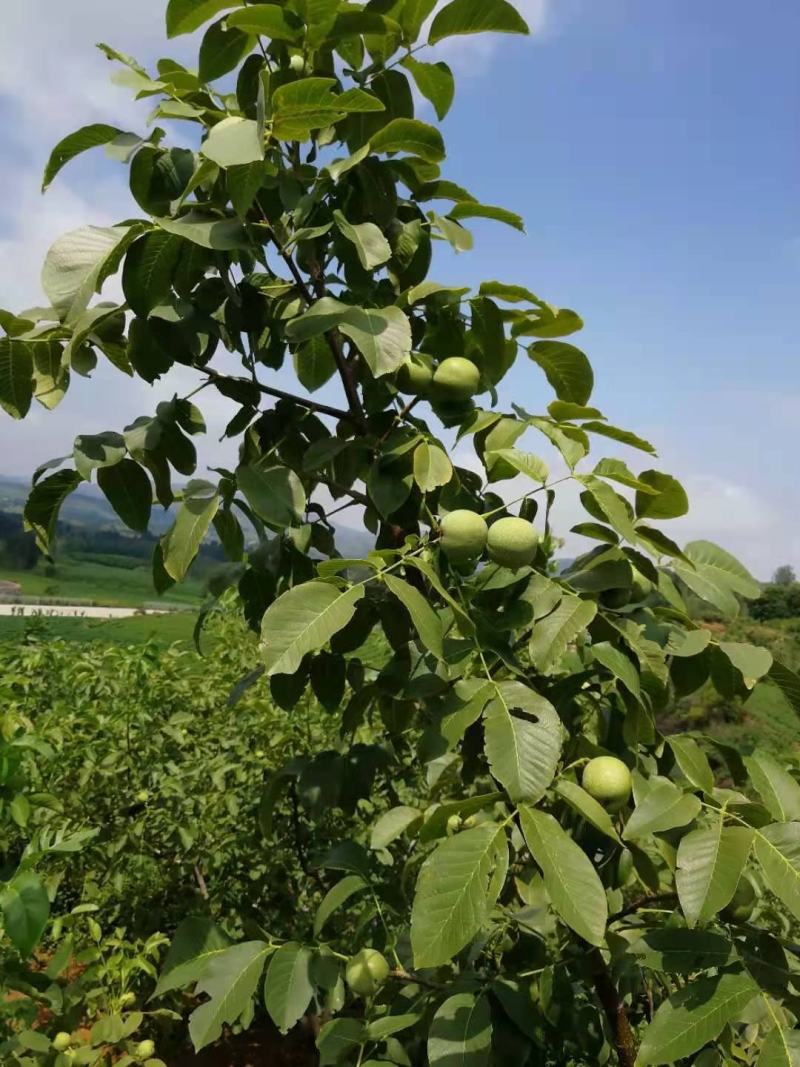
(652, 150)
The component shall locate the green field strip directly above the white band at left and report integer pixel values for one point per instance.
(117, 586)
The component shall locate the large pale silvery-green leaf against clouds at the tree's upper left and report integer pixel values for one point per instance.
(79, 263)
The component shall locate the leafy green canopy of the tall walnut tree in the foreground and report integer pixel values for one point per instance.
(297, 231)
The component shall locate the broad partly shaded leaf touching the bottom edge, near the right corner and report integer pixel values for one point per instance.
(695, 1016)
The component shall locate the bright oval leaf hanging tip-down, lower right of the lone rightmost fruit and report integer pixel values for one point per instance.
(710, 864)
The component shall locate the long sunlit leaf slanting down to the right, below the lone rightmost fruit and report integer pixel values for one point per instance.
(572, 883)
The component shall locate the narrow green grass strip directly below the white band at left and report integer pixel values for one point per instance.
(138, 630)
